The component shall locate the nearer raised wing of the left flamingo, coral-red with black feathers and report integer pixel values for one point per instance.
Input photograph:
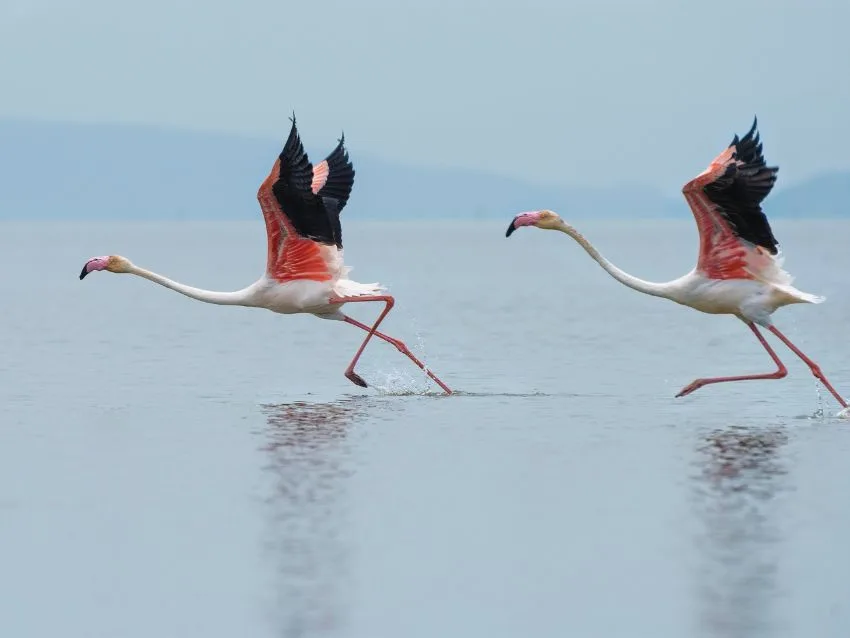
(303, 228)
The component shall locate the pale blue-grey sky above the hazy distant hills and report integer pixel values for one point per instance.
(563, 92)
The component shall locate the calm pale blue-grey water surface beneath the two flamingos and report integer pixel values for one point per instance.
(173, 469)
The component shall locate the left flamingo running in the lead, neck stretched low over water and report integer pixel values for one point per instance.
(301, 205)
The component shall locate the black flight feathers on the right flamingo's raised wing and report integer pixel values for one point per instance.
(739, 192)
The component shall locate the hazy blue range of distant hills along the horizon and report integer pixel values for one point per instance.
(104, 171)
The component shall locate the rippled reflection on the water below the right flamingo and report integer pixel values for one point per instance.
(742, 471)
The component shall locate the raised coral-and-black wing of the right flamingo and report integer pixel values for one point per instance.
(736, 240)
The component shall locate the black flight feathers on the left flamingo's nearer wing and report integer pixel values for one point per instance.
(313, 216)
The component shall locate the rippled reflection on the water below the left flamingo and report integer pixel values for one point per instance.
(309, 462)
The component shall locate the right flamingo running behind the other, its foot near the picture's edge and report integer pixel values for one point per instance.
(739, 268)
